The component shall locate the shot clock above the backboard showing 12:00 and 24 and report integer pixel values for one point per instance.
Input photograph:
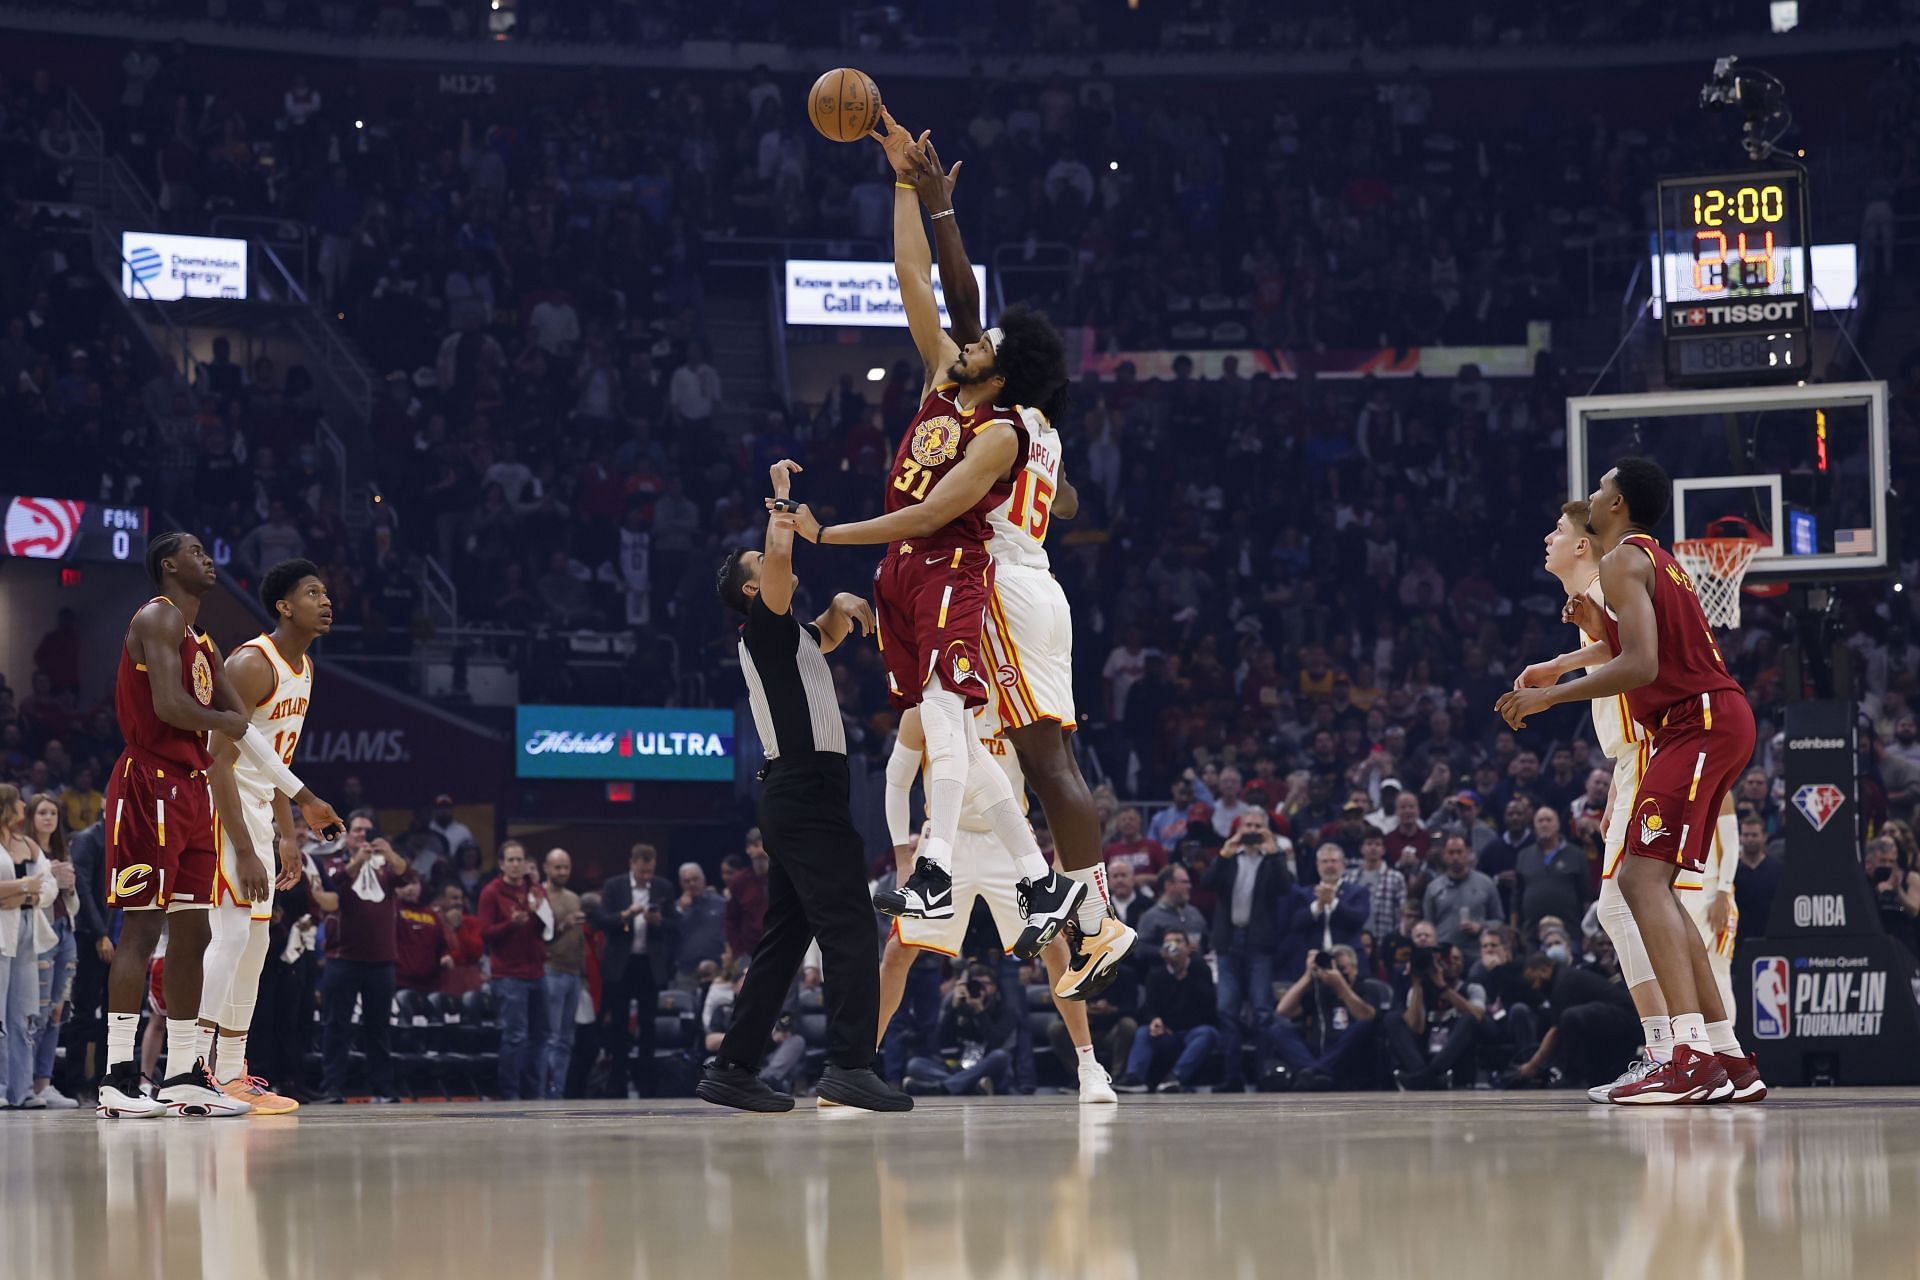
(1735, 277)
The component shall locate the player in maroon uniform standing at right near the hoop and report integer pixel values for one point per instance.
(1700, 734)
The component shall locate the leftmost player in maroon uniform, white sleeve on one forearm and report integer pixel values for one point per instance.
(170, 694)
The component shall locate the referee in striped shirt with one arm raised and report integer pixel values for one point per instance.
(817, 886)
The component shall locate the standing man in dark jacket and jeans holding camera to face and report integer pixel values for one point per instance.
(1247, 880)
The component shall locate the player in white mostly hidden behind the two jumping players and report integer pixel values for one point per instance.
(986, 872)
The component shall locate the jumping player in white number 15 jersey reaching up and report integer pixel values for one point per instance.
(1030, 627)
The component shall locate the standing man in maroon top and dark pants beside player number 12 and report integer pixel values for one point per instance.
(360, 959)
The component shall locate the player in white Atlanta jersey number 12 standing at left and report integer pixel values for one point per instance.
(274, 676)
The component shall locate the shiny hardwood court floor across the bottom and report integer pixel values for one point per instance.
(1483, 1187)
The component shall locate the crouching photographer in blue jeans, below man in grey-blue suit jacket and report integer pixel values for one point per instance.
(1324, 1026)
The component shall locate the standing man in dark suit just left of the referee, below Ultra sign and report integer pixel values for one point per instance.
(642, 934)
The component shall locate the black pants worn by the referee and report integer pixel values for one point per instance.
(815, 889)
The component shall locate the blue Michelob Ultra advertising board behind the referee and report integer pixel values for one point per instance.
(625, 744)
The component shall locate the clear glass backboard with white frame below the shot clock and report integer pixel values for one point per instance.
(1804, 465)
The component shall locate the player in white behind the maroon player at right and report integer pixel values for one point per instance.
(1708, 899)
